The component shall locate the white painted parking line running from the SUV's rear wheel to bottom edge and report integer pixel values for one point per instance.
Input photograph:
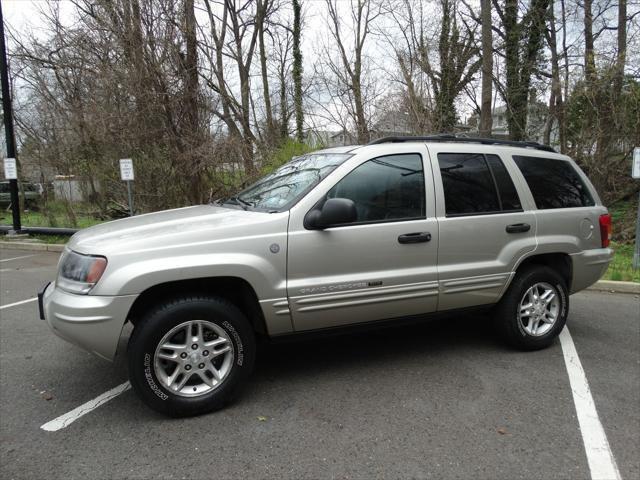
(599, 455)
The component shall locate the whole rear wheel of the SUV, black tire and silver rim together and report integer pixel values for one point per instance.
(534, 309)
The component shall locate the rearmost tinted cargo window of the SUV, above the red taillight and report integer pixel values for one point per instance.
(554, 183)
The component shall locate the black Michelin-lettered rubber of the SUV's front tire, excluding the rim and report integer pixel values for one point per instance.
(152, 328)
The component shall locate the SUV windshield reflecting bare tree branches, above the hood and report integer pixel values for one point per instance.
(289, 183)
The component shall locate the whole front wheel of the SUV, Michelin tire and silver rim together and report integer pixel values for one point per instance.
(191, 355)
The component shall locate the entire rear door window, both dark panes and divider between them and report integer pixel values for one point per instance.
(476, 184)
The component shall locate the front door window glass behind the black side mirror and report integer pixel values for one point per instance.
(385, 188)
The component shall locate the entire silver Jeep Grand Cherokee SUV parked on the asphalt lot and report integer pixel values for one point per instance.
(396, 229)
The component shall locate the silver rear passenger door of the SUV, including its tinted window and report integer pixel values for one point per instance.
(484, 226)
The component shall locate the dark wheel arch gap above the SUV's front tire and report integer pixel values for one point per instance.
(234, 289)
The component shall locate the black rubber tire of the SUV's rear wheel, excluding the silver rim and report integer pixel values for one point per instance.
(507, 311)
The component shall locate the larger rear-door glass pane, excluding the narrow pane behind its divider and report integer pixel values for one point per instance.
(468, 184)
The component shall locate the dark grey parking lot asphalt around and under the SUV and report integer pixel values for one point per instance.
(441, 399)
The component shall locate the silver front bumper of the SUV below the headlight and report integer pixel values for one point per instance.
(92, 322)
